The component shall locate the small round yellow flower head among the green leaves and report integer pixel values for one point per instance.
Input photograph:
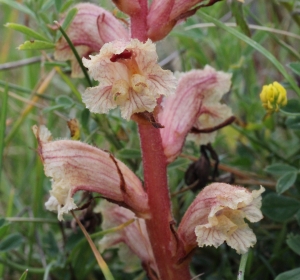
(273, 97)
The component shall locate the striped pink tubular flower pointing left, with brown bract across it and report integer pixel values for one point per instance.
(75, 166)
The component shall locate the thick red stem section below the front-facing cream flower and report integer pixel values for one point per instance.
(155, 176)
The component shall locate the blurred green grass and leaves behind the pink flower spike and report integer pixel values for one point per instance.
(256, 150)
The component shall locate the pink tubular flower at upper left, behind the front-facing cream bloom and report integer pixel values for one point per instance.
(91, 28)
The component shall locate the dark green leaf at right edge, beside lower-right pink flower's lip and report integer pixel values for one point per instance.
(279, 208)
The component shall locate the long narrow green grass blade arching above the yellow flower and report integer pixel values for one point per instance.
(255, 45)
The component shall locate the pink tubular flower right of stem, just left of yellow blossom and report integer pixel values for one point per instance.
(195, 106)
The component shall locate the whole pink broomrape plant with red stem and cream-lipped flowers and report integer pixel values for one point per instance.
(167, 110)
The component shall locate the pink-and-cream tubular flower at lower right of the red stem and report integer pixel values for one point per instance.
(217, 215)
